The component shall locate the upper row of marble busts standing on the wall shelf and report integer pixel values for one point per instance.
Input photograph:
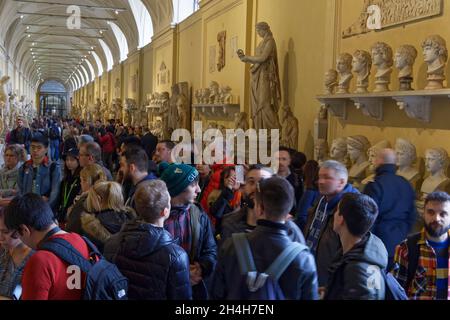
(382, 57)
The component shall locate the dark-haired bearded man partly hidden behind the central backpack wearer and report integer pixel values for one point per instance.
(244, 219)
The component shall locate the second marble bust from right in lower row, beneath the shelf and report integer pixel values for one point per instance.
(406, 157)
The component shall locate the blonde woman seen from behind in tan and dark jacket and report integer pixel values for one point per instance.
(105, 212)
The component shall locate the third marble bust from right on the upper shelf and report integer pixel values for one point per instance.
(382, 58)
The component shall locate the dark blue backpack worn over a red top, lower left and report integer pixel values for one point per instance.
(103, 279)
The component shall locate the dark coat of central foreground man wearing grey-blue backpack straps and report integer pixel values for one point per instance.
(267, 241)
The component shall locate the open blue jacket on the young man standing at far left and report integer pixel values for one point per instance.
(48, 181)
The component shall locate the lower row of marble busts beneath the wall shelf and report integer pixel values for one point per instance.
(359, 156)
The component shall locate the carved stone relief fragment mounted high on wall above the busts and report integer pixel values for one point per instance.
(381, 14)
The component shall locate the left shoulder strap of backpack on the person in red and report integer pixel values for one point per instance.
(65, 251)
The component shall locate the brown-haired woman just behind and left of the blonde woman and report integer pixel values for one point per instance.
(89, 175)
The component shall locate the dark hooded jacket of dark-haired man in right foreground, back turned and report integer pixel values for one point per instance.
(352, 273)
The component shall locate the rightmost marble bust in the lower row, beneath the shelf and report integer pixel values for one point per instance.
(436, 163)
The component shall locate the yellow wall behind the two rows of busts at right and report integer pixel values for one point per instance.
(396, 123)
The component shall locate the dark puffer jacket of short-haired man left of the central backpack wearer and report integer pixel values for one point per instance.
(157, 268)
